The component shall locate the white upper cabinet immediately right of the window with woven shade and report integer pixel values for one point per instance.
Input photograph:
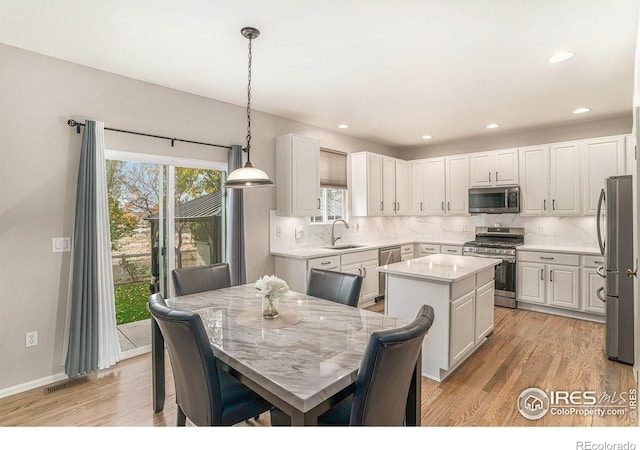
(380, 185)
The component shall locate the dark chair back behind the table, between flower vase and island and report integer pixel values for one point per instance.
(335, 286)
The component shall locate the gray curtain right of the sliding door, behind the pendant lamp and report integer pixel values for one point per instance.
(235, 230)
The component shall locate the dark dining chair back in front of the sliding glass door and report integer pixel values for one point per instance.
(191, 280)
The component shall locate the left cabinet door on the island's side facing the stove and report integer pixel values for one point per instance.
(462, 331)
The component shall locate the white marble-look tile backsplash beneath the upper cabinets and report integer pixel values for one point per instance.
(288, 233)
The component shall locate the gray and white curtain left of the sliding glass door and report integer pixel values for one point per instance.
(82, 352)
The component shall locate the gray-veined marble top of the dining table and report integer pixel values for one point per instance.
(303, 364)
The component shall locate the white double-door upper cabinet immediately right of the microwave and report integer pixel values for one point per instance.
(550, 179)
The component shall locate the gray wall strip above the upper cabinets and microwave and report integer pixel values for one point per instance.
(610, 126)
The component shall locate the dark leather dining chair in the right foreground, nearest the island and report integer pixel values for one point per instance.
(384, 379)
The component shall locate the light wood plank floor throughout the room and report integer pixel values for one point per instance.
(526, 350)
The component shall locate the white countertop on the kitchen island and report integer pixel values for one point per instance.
(448, 268)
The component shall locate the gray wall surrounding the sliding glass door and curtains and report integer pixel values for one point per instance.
(39, 157)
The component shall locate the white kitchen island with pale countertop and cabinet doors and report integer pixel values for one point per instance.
(461, 291)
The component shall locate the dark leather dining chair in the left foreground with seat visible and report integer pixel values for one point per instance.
(205, 395)
